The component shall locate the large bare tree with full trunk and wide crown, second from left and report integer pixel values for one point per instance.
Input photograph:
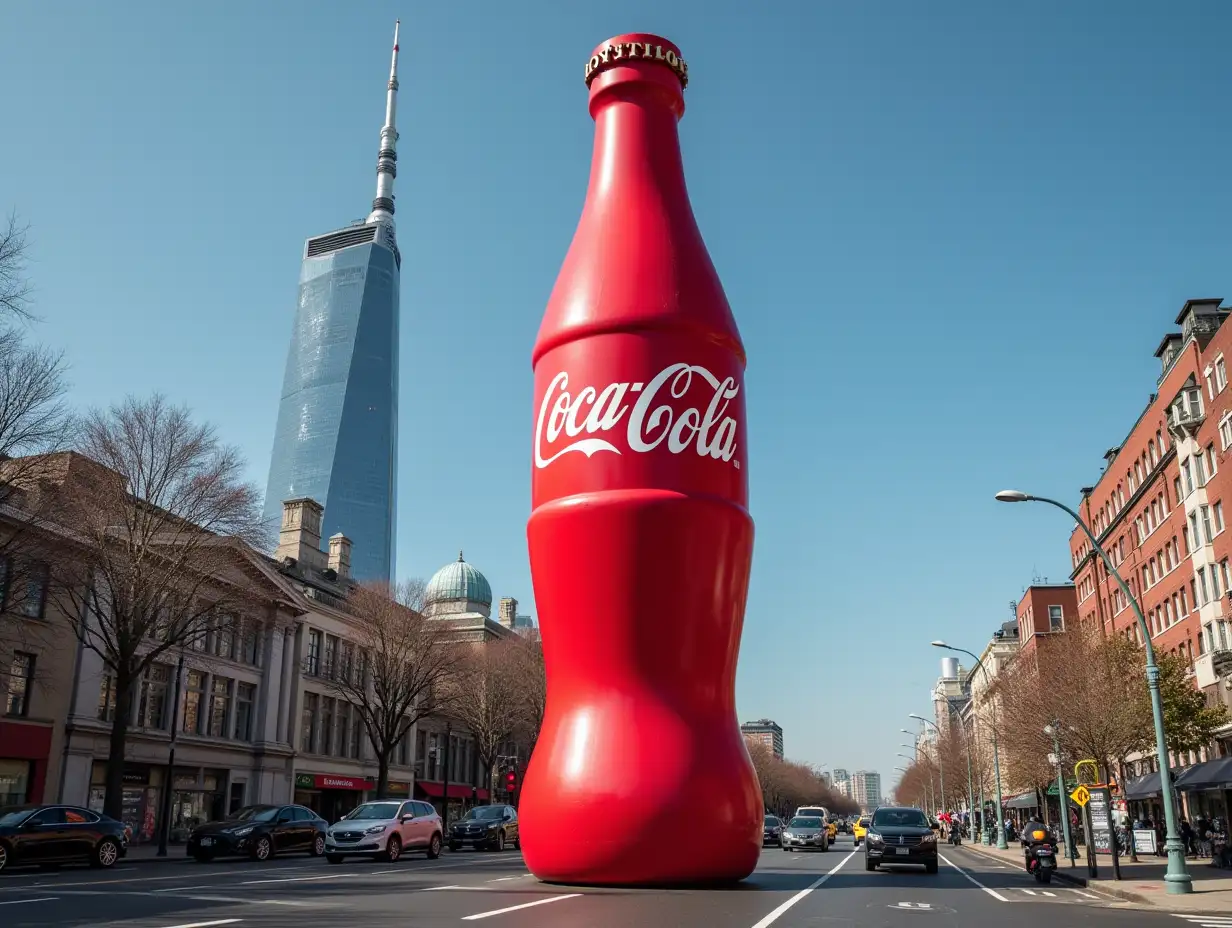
(153, 513)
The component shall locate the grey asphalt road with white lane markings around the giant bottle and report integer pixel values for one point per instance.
(794, 890)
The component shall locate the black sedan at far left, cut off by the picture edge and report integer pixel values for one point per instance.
(60, 835)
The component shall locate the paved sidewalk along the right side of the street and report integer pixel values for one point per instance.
(1141, 883)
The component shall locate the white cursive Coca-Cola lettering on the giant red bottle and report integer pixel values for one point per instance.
(650, 422)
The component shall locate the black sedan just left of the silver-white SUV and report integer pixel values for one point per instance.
(261, 832)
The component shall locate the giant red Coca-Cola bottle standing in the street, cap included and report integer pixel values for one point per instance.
(640, 538)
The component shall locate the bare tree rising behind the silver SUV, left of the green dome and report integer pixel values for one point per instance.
(402, 667)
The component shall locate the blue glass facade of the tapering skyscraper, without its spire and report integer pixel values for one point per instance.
(337, 436)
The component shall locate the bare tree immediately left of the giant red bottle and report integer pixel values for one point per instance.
(487, 697)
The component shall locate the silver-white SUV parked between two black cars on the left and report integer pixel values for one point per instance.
(385, 830)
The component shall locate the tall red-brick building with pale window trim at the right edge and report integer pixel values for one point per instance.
(1160, 510)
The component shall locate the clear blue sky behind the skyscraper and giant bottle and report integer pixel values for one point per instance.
(953, 238)
